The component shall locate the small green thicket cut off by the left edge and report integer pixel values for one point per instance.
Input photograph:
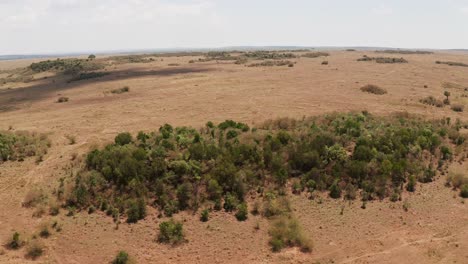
(16, 146)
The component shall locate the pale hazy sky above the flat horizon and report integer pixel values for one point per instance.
(61, 26)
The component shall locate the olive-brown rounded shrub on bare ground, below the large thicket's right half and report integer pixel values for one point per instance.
(286, 232)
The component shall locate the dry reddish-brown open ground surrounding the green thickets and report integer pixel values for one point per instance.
(434, 230)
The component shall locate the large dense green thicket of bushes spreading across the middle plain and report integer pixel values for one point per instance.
(350, 155)
